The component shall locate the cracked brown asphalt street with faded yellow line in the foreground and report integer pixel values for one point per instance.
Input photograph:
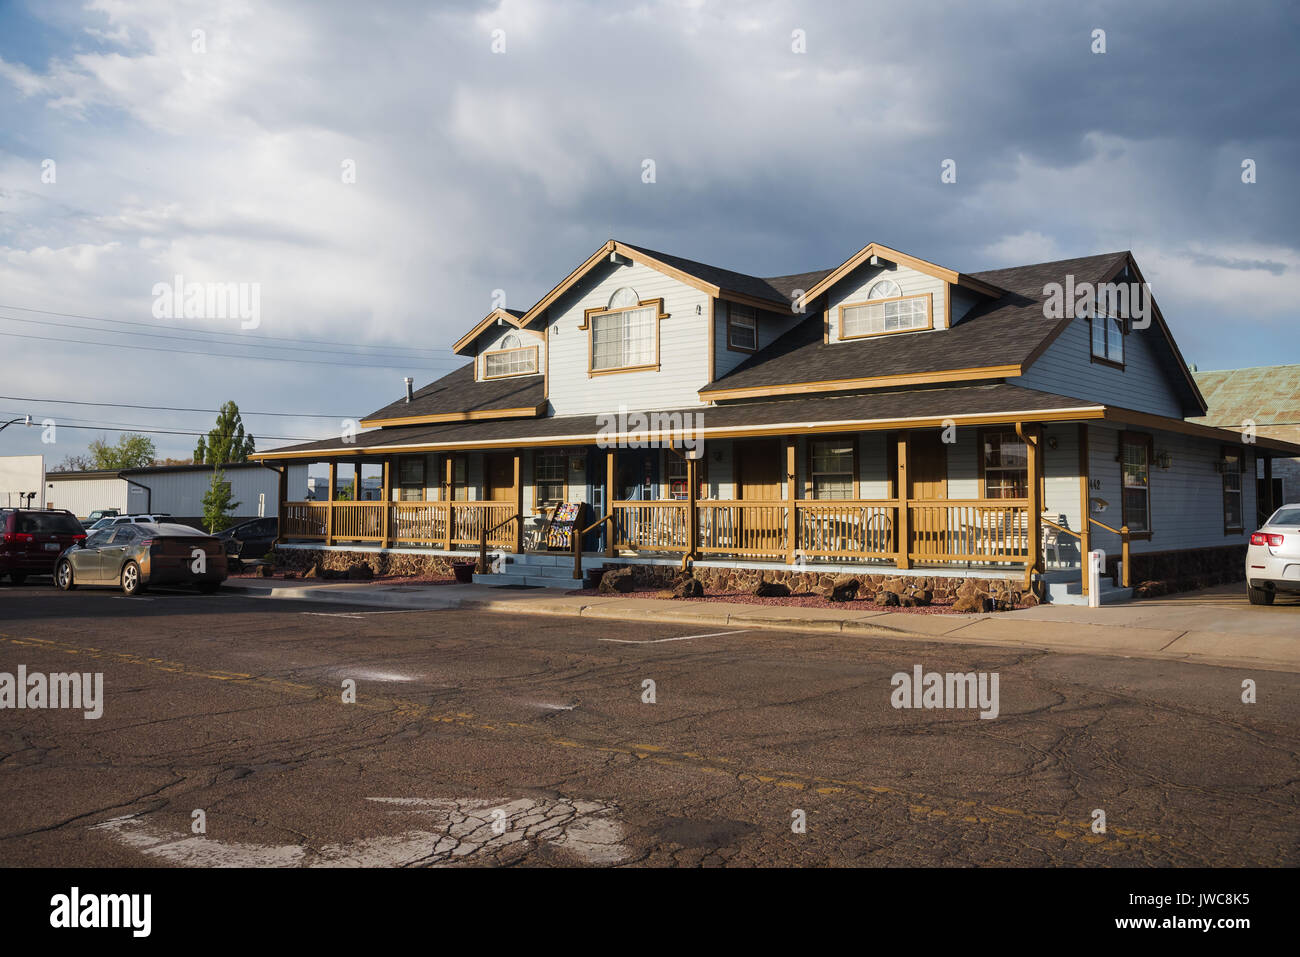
(496, 741)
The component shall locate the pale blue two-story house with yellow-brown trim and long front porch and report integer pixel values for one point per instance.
(886, 415)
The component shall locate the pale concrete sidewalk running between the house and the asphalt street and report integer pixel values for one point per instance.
(1210, 627)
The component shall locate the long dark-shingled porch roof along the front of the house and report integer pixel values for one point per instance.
(905, 409)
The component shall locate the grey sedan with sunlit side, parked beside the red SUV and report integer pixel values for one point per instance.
(136, 556)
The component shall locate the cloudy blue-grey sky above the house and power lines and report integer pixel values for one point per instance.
(378, 172)
